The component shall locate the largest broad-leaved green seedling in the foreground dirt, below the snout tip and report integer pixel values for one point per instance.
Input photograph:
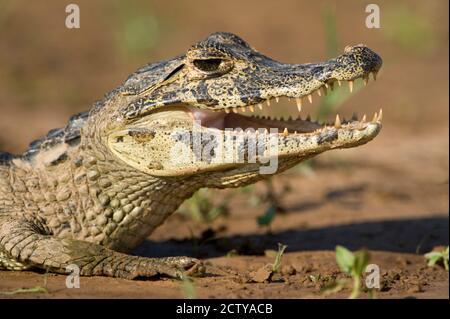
(353, 264)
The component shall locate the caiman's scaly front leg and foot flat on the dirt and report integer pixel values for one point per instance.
(24, 244)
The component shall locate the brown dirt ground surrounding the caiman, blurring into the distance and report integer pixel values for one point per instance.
(389, 196)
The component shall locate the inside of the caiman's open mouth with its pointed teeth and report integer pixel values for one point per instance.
(248, 117)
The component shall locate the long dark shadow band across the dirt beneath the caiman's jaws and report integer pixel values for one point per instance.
(406, 236)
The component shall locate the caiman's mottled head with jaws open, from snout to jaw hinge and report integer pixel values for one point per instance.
(175, 117)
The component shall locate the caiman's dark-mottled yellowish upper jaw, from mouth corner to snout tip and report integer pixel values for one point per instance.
(257, 82)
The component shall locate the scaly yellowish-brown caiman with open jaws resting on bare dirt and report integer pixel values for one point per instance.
(92, 191)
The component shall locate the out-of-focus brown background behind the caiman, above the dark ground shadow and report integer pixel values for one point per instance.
(49, 72)
